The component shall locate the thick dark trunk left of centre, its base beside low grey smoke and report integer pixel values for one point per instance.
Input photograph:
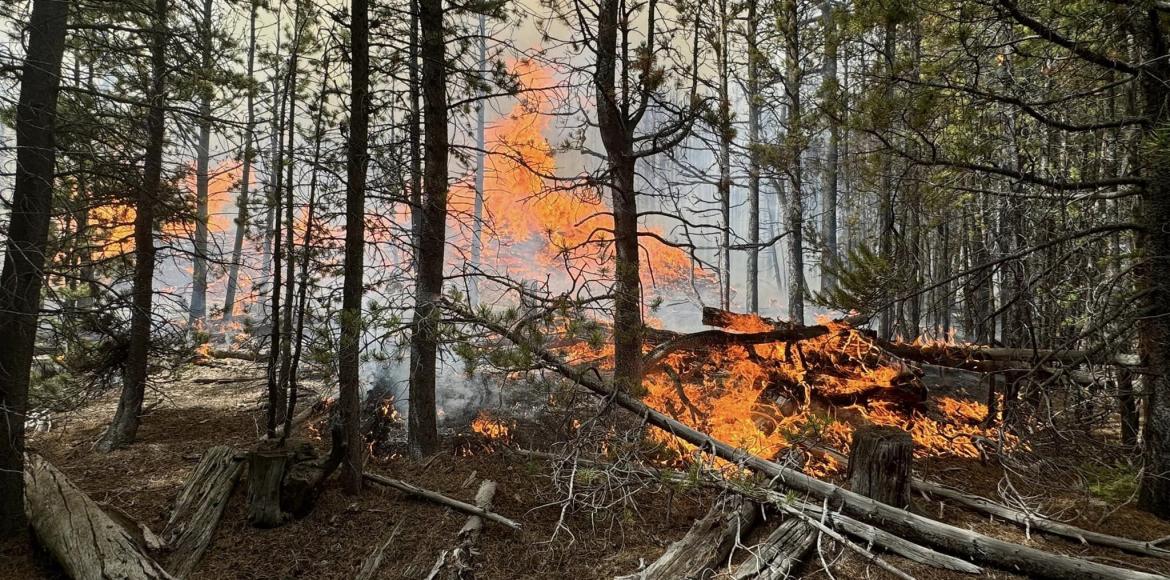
(424, 430)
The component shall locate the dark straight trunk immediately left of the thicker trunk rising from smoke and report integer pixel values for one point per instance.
(359, 160)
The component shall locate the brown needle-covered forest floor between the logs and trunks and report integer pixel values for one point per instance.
(195, 412)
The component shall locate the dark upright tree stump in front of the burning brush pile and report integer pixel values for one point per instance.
(880, 465)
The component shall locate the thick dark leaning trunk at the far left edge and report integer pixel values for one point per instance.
(29, 233)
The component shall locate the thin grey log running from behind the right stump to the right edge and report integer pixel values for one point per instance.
(1024, 520)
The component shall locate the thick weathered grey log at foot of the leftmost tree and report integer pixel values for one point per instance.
(87, 543)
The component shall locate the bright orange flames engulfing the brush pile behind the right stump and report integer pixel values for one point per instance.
(797, 401)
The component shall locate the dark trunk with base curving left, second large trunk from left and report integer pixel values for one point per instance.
(127, 419)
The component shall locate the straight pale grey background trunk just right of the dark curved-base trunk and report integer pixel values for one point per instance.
(198, 315)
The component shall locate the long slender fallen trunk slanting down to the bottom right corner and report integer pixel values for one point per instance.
(967, 543)
